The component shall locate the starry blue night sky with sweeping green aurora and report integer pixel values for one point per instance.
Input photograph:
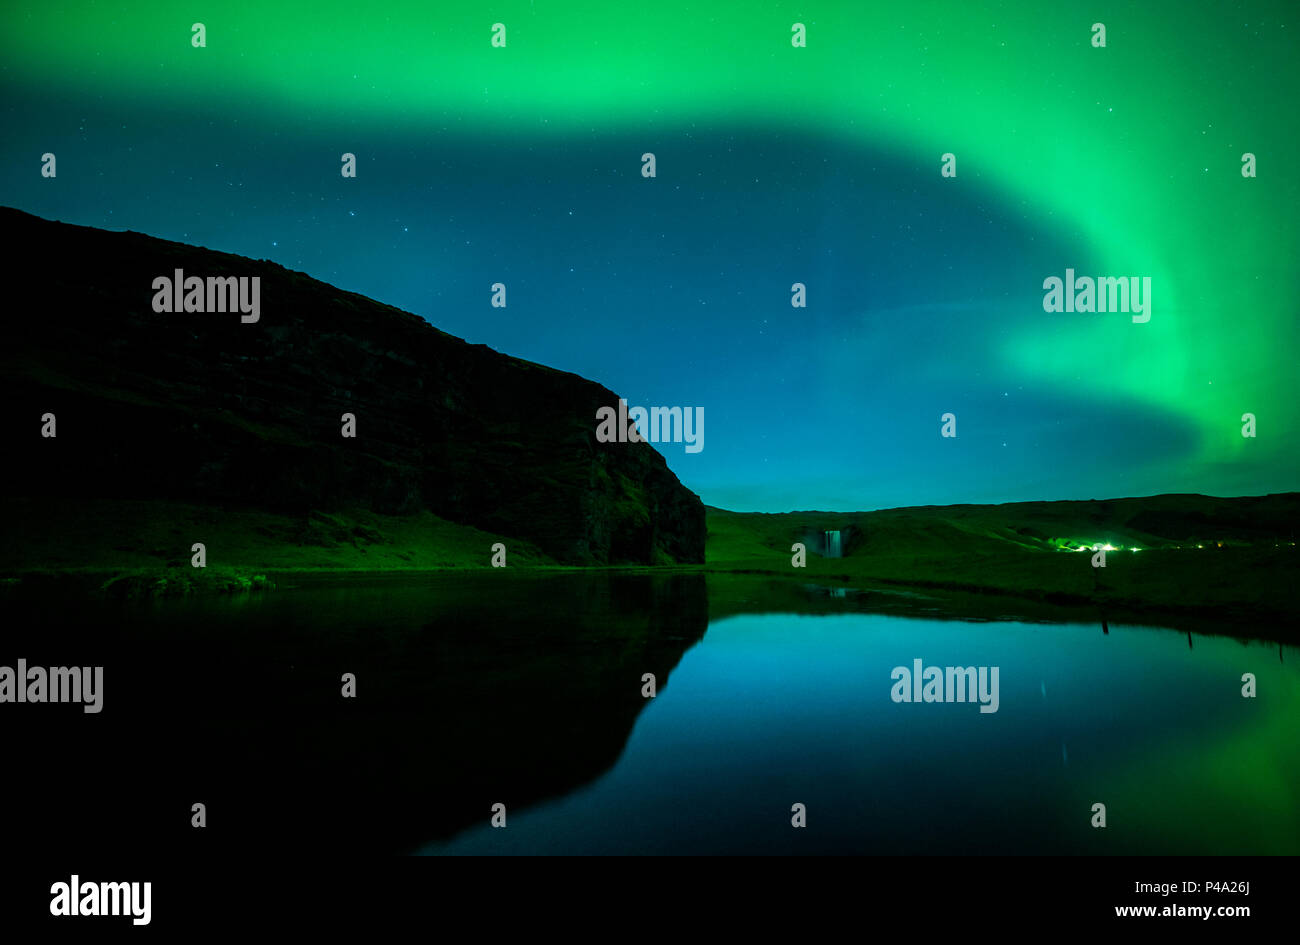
(775, 166)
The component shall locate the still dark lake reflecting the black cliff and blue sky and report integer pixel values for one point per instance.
(526, 690)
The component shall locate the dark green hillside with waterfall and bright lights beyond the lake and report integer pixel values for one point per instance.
(1233, 558)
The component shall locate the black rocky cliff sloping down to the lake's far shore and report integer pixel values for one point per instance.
(202, 408)
